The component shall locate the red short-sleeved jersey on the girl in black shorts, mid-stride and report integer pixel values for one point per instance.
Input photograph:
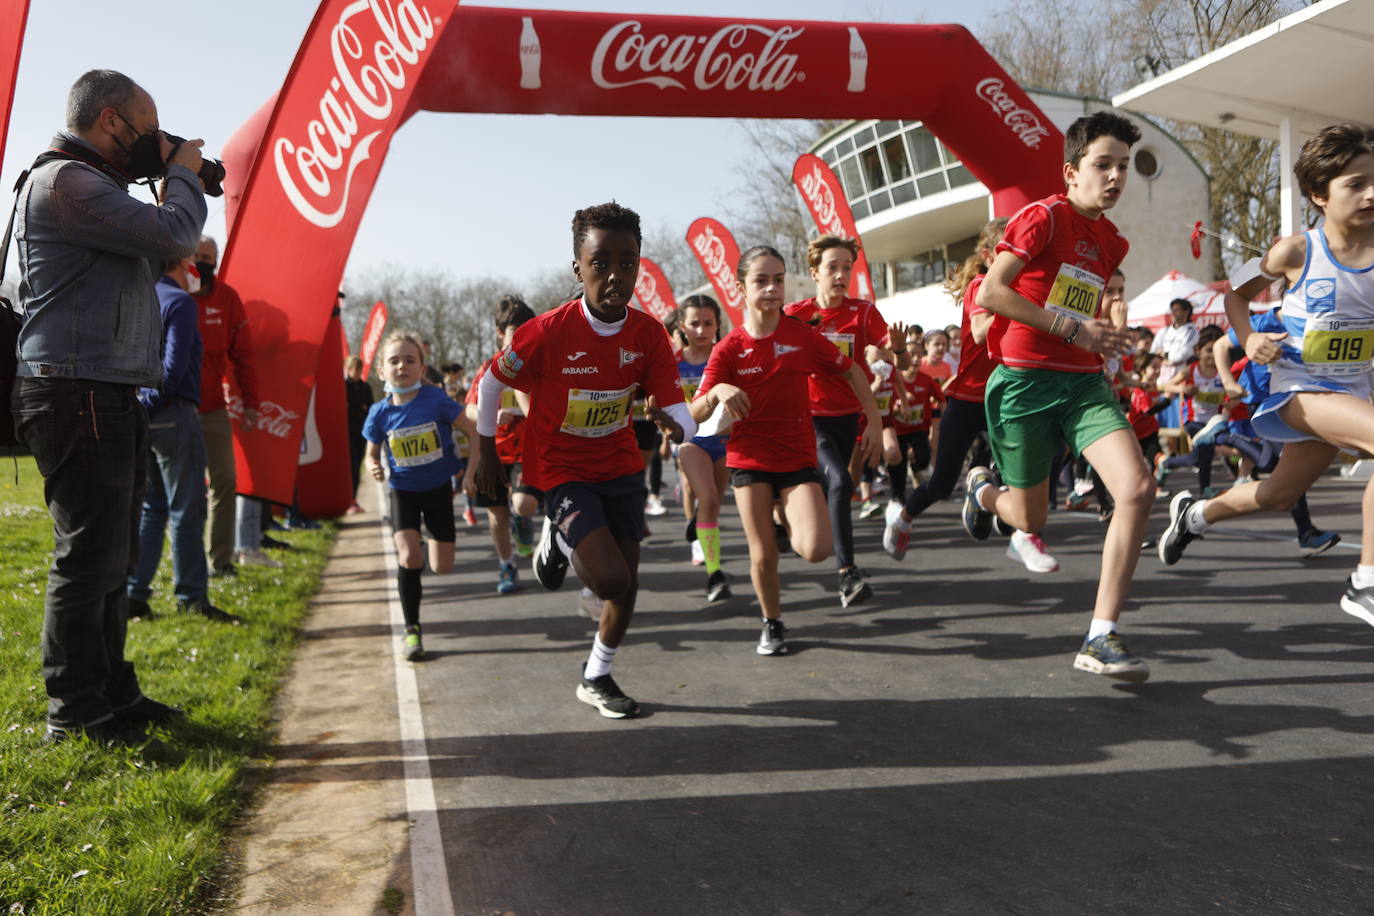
(777, 436)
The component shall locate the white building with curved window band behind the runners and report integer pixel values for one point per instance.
(920, 211)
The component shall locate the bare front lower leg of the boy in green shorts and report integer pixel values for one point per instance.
(1118, 459)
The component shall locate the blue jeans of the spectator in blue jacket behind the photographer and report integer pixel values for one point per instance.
(177, 495)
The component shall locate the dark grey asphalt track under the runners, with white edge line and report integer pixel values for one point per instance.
(930, 752)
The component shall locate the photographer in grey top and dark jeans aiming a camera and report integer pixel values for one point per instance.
(90, 255)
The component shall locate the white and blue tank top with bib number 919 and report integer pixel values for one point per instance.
(1329, 318)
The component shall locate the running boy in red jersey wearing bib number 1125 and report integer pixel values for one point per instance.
(582, 365)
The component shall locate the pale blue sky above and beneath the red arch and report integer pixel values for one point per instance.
(475, 194)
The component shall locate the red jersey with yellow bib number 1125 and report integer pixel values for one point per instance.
(582, 387)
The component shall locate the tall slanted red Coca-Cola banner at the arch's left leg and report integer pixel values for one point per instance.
(317, 161)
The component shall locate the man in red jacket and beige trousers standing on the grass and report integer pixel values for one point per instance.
(225, 334)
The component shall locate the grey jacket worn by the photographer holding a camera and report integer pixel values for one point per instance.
(90, 256)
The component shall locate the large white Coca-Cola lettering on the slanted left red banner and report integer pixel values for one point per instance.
(373, 58)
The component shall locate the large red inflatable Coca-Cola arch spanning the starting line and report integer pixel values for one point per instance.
(303, 168)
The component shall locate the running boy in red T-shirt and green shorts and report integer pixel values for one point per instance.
(1046, 289)
